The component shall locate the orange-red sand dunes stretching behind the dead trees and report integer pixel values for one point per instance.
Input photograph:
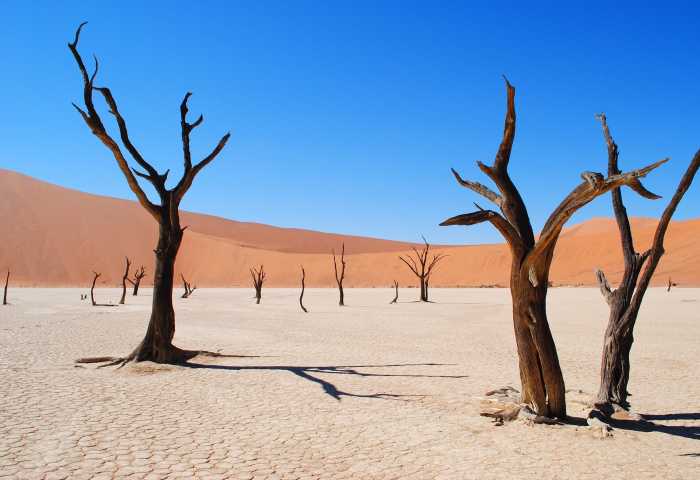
(53, 236)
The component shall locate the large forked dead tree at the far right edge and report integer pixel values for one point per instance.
(626, 299)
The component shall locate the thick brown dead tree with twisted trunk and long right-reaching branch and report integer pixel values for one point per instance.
(540, 374)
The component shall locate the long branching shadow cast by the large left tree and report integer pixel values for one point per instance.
(328, 387)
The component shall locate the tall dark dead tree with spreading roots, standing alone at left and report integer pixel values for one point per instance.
(157, 343)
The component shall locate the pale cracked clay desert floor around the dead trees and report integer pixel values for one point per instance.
(368, 391)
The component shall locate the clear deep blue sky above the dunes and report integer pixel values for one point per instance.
(346, 116)
